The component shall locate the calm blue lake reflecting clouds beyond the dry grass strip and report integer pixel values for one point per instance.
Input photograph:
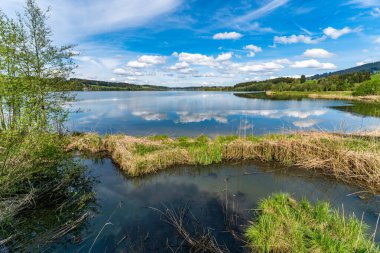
(177, 113)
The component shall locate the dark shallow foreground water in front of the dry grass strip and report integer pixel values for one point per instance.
(123, 202)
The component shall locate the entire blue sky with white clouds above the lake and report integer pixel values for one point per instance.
(212, 42)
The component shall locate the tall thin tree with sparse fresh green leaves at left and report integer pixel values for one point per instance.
(34, 71)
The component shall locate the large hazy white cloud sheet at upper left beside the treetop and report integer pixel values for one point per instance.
(72, 20)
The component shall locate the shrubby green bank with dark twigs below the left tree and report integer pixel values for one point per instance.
(44, 194)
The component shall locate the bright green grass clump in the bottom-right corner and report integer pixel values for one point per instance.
(285, 225)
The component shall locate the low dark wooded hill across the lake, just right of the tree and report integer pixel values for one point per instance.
(84, 84)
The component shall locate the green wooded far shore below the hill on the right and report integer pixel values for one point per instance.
(331, 83)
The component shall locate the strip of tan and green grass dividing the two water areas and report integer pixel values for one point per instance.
(352, 159)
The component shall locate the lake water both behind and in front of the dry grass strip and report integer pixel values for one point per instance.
(124, 218)
